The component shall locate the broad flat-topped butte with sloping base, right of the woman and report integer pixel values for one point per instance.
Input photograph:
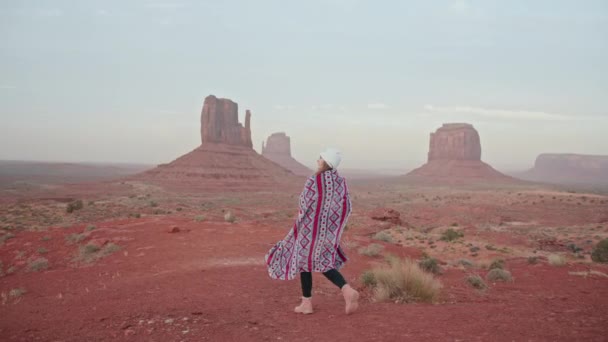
(455, 156)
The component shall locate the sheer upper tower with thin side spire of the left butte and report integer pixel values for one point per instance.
(220, 123)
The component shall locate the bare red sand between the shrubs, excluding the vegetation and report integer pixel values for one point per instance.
(209, 283)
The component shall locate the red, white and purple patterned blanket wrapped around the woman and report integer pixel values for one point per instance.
(313, 244)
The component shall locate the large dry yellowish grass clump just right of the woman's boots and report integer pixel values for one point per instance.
(402, 281)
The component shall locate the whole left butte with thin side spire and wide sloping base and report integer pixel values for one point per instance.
(225, 158)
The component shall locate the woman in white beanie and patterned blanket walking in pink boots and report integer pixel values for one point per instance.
(313, 244)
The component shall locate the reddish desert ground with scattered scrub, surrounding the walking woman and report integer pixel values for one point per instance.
(139, 262)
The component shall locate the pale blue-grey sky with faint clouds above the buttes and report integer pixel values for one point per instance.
(124, 81)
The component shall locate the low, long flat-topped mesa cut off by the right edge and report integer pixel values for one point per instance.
(569, 169)
